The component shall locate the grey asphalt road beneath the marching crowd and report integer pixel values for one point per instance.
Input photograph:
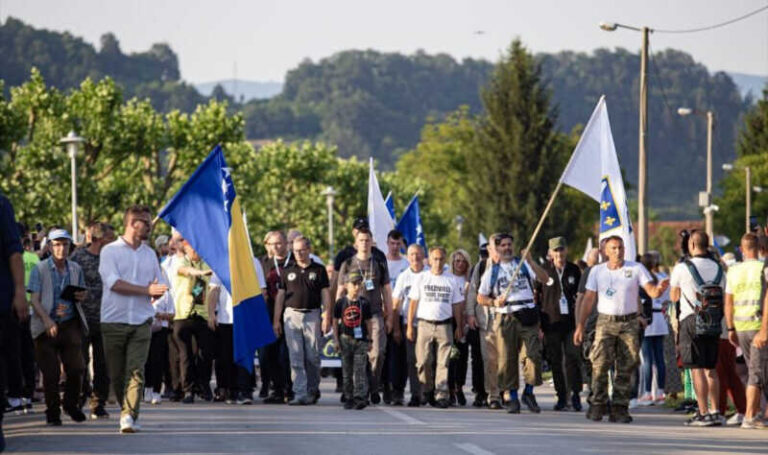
(213, 428)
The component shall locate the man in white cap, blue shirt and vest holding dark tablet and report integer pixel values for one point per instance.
(58, 326)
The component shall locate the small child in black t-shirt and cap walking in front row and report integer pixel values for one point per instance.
(352, 328)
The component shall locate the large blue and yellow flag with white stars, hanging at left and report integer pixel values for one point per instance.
(206, 211)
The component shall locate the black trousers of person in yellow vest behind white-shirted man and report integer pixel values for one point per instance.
(195, 365)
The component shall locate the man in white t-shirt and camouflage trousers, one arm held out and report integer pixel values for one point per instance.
(616, 287)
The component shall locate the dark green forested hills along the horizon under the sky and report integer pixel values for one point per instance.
(370, 103)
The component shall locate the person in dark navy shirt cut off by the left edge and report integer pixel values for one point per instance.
(12, 296)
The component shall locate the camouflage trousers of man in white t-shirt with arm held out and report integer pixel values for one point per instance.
(616, 345)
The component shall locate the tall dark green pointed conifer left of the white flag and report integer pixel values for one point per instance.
(518, 157)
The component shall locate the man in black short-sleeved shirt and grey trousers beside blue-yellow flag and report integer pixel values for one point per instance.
(304, 292)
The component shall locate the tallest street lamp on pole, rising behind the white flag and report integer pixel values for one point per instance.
(642, 178)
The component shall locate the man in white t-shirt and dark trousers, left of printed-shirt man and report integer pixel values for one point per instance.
(403, 362)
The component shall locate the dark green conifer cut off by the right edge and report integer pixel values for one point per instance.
(753, 152)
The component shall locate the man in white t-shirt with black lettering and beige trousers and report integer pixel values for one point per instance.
(435, 299)
